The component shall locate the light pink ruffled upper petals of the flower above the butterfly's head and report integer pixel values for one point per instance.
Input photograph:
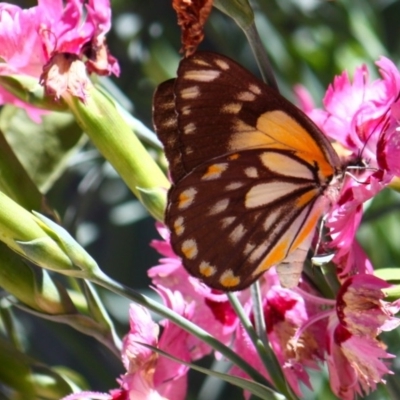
(356, 113)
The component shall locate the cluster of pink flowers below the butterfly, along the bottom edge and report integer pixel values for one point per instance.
(303, 328)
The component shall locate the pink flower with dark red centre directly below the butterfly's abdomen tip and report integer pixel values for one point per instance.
(285, 312)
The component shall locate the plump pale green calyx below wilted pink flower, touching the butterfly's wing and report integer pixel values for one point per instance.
(99, 117)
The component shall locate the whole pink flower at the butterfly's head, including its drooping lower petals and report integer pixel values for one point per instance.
(363, 117)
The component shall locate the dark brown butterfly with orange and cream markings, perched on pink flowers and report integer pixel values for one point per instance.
(252, 174)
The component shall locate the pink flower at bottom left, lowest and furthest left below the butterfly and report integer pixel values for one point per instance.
(150, 376)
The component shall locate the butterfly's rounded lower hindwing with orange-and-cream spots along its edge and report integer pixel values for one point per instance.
(230, 221)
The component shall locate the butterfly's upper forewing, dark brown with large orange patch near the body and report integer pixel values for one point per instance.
(222, 108)
